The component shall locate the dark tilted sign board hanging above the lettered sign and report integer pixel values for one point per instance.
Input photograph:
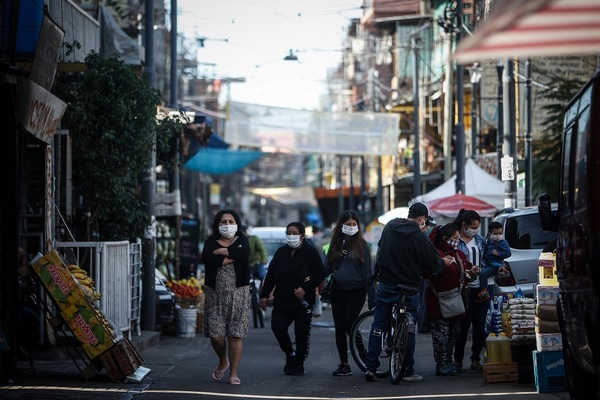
(50, 41)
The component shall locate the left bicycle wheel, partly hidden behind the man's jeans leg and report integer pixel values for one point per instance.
(359, 343)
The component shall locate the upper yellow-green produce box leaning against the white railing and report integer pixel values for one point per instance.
(60, 285)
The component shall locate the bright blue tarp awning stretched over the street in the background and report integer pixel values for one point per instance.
(221, 161)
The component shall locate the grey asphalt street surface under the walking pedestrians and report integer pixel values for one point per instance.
(181, 368)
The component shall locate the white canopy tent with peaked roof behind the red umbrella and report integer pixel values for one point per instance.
(479, 184)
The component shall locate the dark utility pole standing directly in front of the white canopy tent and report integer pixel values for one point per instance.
(460, 130)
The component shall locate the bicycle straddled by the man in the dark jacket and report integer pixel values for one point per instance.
(396, 343)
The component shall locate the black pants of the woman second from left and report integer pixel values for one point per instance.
(281, 319)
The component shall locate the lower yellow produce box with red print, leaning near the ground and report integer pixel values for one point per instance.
(91, 328)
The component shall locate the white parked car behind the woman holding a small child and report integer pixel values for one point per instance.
(526, 238)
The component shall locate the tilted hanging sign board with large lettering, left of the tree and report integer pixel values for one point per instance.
(39, 110)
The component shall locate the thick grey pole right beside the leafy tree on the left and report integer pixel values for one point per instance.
(148, 309)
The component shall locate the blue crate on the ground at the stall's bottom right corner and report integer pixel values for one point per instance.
(549, 371)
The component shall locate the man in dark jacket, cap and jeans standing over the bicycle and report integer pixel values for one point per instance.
(403, 252)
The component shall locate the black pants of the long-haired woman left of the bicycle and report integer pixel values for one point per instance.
(346, 305)
